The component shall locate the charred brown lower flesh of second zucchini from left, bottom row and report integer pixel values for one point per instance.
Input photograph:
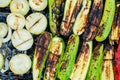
(51, 64)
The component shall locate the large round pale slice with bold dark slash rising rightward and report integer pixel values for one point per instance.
(36, 23)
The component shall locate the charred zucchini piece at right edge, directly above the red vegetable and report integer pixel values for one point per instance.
(114, 37)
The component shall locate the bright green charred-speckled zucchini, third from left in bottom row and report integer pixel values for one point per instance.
(67, 61)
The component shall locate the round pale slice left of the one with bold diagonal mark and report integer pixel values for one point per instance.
(16, 21)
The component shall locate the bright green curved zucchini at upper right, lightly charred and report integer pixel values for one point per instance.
(106, 21)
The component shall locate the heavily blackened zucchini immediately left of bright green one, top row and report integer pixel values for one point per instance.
(93, 20)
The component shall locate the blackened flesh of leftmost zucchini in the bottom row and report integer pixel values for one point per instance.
(42, 47)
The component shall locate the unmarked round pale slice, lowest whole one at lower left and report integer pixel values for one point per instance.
(20, 64)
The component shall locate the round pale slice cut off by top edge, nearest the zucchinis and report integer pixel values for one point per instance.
(38, 5)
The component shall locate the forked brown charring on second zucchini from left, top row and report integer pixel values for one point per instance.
(68, 24)
